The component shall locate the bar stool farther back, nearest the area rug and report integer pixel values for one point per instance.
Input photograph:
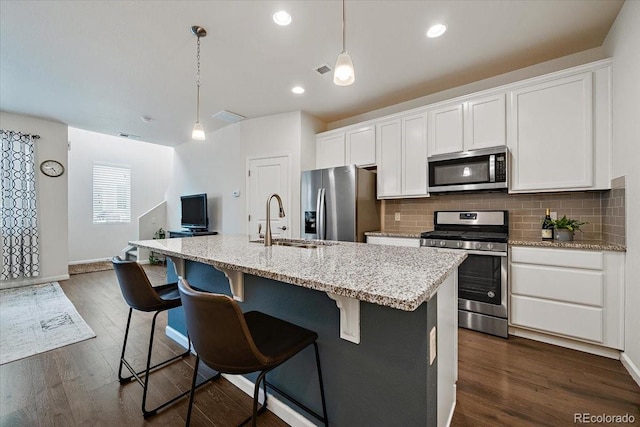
(140, 295)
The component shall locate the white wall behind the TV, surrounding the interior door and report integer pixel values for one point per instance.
(218, 166)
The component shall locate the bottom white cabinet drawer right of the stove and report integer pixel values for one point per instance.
(558, 317)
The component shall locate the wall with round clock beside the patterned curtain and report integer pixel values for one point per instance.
(52, 196)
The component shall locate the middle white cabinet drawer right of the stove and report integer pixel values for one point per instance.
(574, 286)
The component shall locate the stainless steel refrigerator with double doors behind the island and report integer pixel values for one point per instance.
(339, 204)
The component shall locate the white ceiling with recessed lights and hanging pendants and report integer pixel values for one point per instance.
(101, 65)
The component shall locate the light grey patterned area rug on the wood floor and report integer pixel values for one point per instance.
(38, 318)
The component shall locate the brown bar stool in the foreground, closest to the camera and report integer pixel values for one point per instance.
(231, 342)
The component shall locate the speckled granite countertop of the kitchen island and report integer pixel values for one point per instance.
(391, 276)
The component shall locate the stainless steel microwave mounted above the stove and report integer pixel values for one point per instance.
(484, 169)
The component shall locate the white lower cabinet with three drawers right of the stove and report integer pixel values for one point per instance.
(574, 294)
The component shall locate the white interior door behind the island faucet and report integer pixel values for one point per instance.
(267, 176)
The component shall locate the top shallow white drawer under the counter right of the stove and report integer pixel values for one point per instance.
(558, 257)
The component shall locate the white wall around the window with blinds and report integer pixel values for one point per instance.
(151, 167)
